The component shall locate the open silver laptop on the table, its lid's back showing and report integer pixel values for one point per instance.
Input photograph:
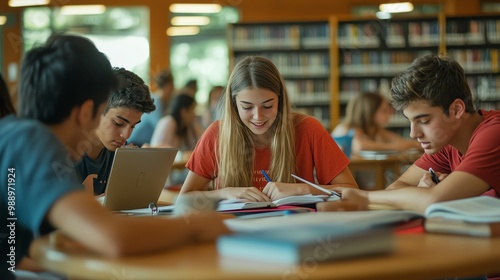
(137, 177)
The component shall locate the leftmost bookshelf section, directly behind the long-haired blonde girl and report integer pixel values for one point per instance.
(300, 51)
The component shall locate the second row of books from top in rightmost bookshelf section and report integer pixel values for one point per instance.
(476, 60)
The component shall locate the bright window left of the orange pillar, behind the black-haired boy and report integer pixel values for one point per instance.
(122, 33)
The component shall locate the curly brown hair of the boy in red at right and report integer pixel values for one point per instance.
(437, 79)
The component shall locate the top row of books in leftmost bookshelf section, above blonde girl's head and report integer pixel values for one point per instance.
(281, 36)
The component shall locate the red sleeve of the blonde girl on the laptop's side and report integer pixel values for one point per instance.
(202, 161)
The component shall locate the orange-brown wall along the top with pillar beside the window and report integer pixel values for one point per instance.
(251, 11)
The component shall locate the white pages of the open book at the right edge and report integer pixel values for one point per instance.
(474, 209)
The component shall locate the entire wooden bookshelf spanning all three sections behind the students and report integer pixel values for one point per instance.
(325, 63)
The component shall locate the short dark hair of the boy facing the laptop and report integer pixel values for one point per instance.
(132, 93)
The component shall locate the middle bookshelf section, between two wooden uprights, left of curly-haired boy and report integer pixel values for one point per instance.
(369, 52)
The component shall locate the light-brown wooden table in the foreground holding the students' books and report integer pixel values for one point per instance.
(417, 256)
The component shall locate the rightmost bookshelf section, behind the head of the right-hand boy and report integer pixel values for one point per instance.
(474, 41)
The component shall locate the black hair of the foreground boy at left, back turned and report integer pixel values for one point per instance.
(61, 75)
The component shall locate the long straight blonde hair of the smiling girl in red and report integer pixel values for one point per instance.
(236, 149)
